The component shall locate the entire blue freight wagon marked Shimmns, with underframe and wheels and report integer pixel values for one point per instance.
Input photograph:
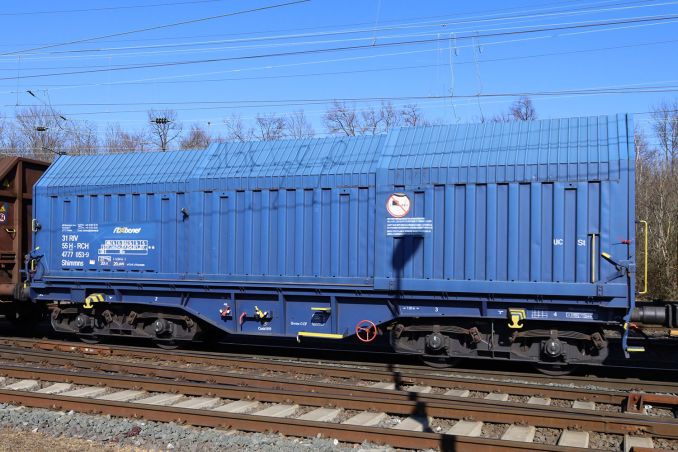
(505, 240)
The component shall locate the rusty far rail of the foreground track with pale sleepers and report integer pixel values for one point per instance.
(393, 402)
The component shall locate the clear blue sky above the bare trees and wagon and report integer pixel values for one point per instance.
(470, 48)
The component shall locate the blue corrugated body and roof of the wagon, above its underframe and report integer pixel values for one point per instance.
(508, 202)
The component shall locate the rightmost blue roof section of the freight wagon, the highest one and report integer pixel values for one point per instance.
(575, 149)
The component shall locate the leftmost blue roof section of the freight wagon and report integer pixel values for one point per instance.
(135, 171)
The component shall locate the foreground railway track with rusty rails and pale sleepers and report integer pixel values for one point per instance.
(381, 416)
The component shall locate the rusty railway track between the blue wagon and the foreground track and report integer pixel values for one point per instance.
(630, 396)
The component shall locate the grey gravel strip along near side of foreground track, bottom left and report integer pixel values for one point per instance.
(129, 434)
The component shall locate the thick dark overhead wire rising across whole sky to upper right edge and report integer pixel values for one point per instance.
(656, 19)
